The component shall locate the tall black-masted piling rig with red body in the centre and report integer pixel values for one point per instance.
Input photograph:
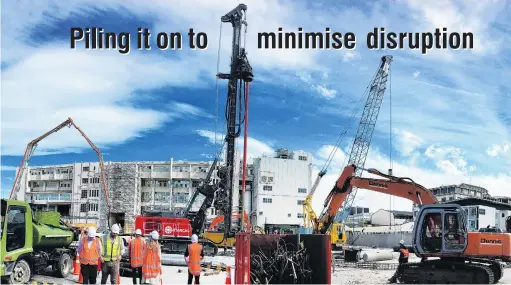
(219, 194)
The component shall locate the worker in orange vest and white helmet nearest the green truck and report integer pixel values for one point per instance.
(89, 252)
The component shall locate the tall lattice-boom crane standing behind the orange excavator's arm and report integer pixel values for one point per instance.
(358, 154)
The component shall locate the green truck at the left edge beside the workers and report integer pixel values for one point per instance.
(31, 242)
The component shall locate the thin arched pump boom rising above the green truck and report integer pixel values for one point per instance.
(31, 147)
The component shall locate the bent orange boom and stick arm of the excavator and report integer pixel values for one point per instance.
(392, 185)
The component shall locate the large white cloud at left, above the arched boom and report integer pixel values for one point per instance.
(98, 96)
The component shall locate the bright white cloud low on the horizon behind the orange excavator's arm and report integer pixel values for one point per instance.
(425, 177)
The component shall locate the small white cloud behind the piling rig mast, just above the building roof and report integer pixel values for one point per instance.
(255, 148)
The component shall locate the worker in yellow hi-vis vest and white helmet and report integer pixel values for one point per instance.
(113, 248)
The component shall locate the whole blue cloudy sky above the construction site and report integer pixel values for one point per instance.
(450, 108)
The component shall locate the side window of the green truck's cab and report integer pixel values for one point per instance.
(15, 228)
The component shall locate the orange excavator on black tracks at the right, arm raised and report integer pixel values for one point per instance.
(440, 233)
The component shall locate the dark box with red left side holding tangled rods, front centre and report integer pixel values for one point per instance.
(311, 256)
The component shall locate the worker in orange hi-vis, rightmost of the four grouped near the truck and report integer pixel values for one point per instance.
(151, 265)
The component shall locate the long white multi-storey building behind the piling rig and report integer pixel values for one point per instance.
(77, 192)
